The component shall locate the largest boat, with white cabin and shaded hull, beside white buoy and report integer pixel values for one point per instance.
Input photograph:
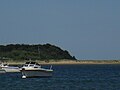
(33, 69)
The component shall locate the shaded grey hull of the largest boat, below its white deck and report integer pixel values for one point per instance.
(36, 73)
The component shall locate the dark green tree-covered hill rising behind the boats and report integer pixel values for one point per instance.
(33, 52)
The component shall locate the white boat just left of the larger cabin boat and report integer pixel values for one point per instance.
(8, 68)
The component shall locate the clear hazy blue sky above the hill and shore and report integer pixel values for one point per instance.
(88, 29)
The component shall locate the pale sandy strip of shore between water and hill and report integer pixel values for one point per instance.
(52, 62)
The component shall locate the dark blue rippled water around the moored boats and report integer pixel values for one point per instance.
(67, 77)
